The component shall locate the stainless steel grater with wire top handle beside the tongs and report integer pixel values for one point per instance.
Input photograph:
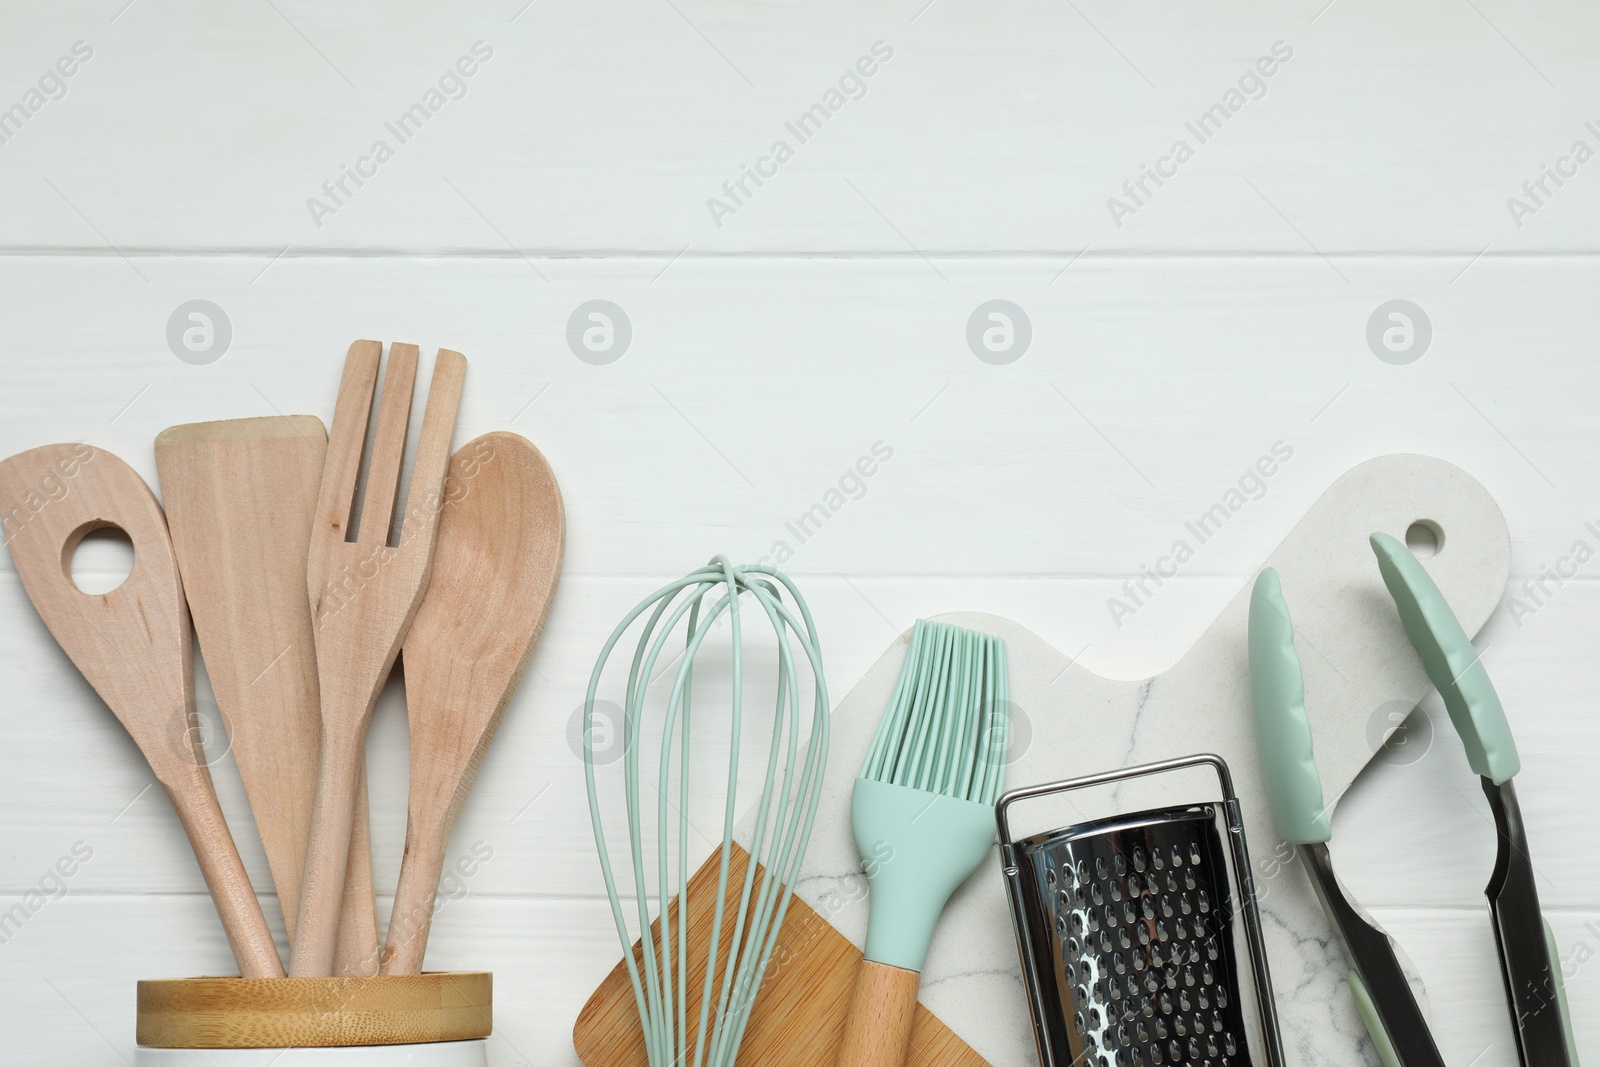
(1127, 930)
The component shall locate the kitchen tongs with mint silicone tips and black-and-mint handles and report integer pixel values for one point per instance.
(1529, 957)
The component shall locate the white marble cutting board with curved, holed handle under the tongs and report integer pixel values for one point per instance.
(1073, 722)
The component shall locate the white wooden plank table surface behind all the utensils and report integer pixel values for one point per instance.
(1337, 158)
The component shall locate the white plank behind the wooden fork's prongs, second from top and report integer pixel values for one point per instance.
(1118, 428)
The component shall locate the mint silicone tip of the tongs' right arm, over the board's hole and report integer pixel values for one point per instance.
(1450, 661)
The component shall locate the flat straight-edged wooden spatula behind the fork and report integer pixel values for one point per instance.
(239, 500)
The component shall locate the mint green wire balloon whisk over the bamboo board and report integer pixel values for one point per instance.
(785, 813)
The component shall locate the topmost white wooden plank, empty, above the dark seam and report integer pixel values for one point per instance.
(607, 127)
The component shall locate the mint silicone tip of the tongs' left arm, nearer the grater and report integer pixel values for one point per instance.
(1278, 692)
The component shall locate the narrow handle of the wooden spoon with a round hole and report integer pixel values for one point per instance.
(225, 874)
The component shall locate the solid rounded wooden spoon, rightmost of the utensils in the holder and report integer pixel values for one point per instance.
(495, 570)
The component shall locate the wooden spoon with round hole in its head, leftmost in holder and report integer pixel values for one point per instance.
(134, 647)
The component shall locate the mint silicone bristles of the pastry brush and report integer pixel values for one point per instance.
(948, 725)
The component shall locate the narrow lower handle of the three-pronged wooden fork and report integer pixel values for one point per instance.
(327, 857)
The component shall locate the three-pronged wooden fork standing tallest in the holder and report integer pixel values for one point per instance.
(364, 594)
